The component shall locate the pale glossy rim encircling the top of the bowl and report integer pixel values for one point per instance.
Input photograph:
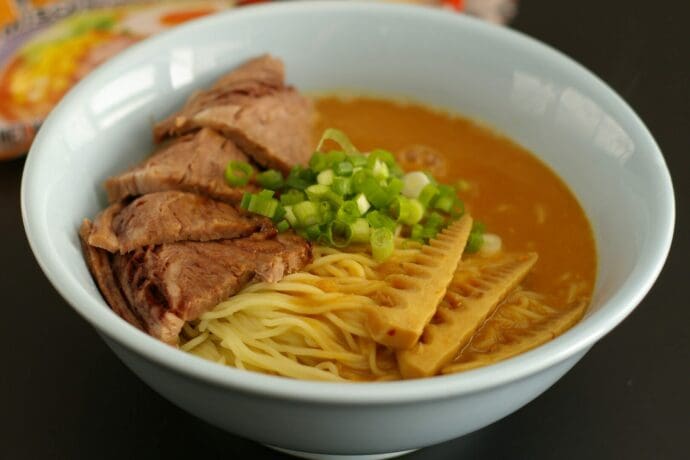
(577, 339)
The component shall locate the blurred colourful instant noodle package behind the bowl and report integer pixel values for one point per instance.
(46, 46)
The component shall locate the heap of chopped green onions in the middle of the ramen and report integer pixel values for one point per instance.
(346, 197)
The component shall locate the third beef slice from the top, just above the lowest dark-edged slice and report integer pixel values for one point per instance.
(166, 217)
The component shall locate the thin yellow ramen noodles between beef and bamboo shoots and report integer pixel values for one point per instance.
(313, 324)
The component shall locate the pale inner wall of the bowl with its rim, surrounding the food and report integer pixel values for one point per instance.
(523, 89)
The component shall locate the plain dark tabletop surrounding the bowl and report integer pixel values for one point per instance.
(63, 394)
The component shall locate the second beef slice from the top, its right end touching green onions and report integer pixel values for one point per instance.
(192, 163)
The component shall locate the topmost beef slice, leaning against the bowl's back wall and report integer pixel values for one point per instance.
(252, 106)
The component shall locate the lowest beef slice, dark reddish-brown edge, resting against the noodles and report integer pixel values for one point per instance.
(168, 284)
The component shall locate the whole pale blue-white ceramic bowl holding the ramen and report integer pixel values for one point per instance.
(524, 89)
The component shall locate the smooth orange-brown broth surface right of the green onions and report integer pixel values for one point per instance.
(517, 196)
